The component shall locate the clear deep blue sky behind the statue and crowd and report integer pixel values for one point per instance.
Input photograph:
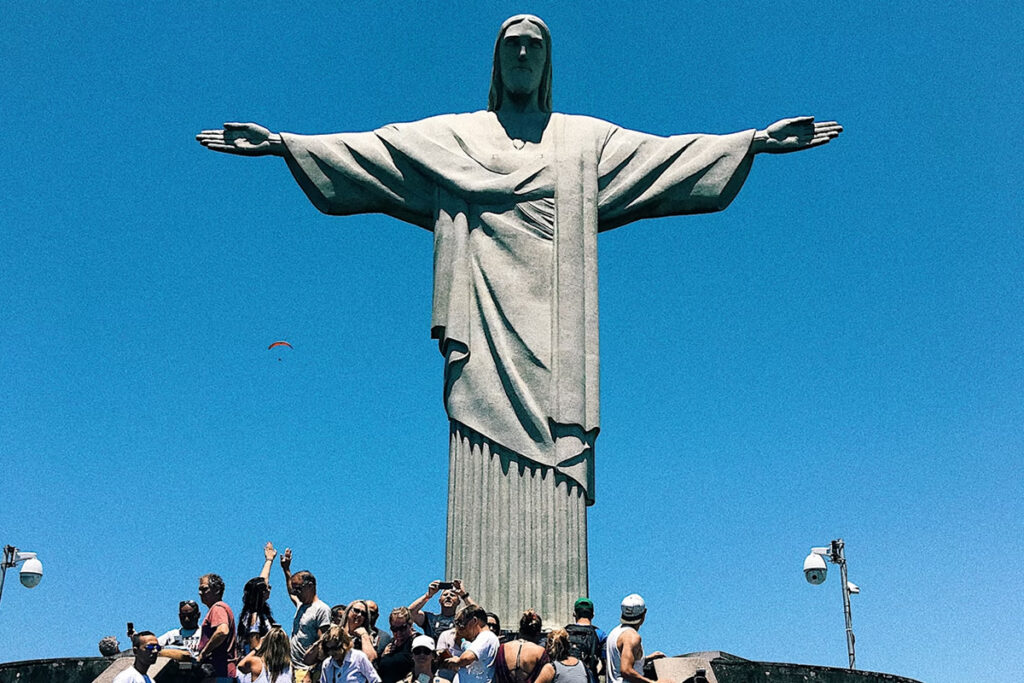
(840, 354)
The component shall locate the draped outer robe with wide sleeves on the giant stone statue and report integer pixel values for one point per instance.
(516, 252)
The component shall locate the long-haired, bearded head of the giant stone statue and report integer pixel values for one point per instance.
(519, 78)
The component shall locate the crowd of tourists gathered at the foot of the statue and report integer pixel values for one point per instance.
(461, 644)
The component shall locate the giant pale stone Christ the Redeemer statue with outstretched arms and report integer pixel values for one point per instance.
(516, 197)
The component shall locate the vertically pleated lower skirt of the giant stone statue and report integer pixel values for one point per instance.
(515, 537)
